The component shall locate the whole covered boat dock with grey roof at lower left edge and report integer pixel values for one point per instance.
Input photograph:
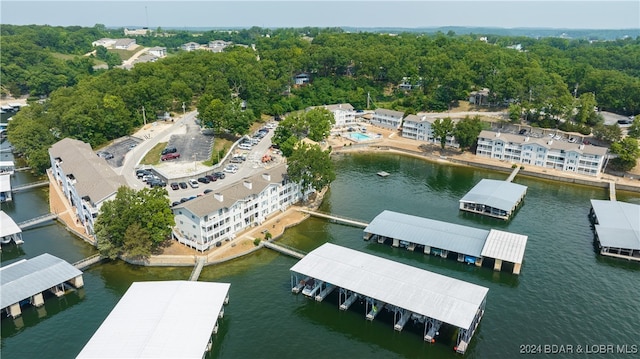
(28, 279)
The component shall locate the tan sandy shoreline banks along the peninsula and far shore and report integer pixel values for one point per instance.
(179, 255)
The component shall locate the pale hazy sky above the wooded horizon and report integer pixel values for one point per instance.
(567, 14)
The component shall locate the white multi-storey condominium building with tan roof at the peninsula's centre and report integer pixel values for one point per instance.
(207, 221)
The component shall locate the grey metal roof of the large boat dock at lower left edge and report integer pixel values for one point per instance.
(23, 279)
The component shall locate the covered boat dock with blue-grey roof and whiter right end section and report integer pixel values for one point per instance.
(440, 238)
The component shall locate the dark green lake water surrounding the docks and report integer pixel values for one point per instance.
(566, 293)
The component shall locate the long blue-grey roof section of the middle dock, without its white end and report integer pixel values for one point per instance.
(424, 231)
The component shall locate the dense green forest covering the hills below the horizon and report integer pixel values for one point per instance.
(548, 79)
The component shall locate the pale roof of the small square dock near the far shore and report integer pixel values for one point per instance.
(494, 193)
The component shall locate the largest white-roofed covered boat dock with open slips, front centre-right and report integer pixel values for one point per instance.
(411, 293)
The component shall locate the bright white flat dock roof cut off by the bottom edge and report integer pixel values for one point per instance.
(169, 319)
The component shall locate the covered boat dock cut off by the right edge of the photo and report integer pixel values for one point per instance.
(617, 228)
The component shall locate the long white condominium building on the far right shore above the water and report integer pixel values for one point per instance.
(544, 152)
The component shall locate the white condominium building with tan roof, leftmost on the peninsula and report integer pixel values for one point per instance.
(86, 180)
